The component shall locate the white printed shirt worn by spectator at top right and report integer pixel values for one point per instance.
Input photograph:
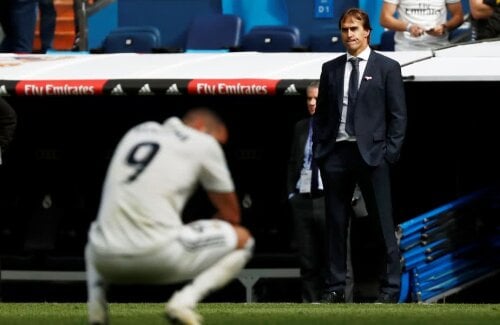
(425, 13)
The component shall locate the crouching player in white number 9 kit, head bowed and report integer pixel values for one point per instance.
(138, 236)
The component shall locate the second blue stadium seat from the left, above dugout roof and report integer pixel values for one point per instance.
(214, 32)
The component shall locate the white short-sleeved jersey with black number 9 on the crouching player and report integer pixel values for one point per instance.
(153, 172)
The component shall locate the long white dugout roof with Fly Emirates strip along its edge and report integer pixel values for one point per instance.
(233, 73)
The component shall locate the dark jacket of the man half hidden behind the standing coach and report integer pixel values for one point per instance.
(296, 159)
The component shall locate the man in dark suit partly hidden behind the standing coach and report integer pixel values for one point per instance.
(307, 205)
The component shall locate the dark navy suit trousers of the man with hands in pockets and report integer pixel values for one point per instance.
(341, 169)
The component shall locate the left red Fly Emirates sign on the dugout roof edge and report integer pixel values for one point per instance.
(60, 88)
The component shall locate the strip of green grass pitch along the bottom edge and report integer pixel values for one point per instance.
(260, 313)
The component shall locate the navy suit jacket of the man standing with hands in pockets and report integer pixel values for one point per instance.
(380, 113)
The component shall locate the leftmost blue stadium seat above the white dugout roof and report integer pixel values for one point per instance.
(132, 39)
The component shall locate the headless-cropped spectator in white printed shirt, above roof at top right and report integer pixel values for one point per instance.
(421, 24)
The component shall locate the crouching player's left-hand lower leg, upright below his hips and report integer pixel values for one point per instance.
(96, 292)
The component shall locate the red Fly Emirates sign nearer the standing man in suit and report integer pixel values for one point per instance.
(232, 87)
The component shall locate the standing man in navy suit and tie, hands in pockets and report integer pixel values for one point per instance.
(363, 154)
